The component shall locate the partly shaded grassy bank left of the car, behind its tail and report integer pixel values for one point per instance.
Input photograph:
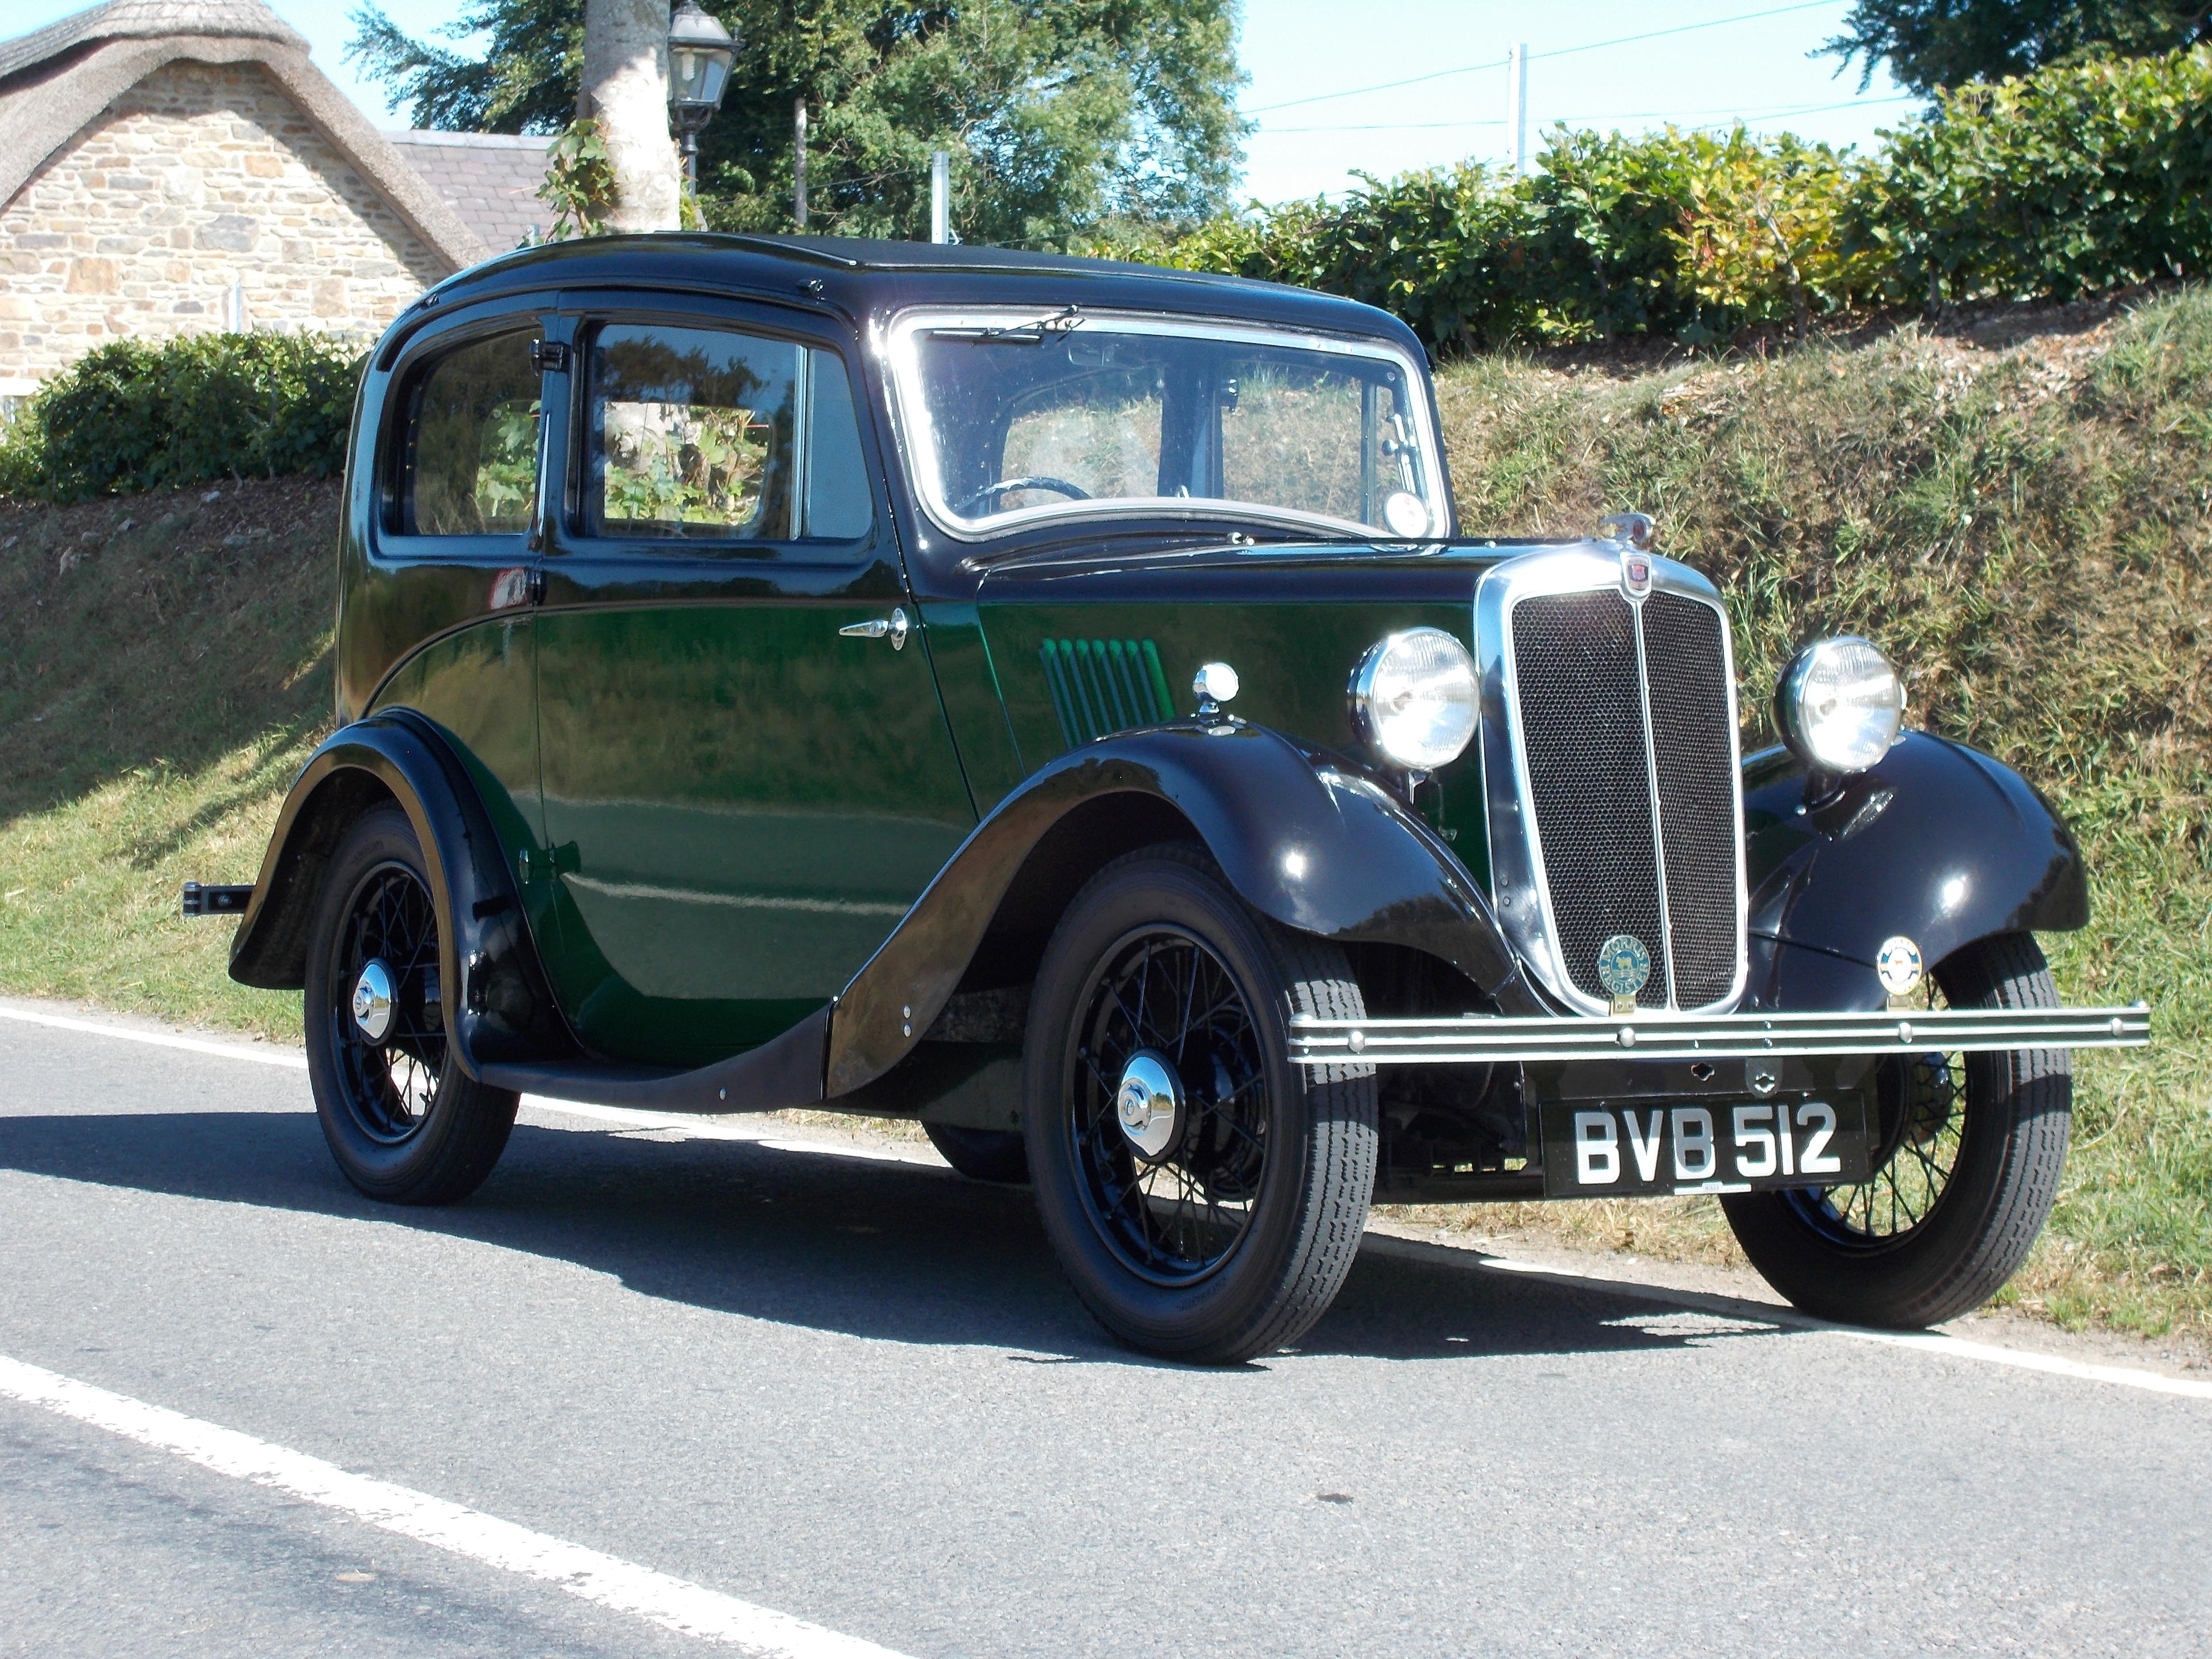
(165, 671)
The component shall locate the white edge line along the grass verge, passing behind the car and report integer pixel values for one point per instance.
(1957, 1348)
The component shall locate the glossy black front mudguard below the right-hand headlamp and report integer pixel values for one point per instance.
(1937, 844)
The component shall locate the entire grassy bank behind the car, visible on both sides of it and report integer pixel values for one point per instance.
(2021, 517)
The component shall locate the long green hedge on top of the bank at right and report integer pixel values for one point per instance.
(2074, 180)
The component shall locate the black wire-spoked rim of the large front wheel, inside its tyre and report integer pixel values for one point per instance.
(1178, 1215)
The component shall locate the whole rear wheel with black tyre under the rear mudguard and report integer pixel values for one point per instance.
(404, 1120)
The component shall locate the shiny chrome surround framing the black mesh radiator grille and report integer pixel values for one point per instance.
(1519, 879)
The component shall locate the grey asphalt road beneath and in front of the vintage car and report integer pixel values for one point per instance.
(857, 1392)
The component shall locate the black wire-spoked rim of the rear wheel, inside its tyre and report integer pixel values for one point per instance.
(388, 1081)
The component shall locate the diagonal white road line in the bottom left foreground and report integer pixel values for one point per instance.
(605, 1580)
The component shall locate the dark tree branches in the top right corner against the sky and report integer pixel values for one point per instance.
(1950, 43)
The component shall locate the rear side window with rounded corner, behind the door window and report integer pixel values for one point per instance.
(470, 459)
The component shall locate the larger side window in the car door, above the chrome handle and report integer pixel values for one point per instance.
(720, 437)
